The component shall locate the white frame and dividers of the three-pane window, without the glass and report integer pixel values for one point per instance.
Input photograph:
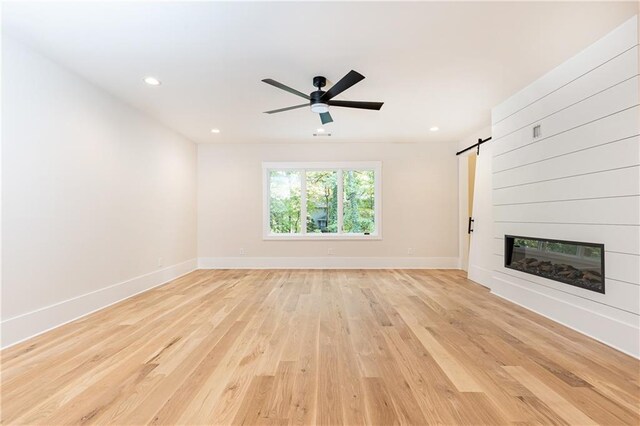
(303, 167)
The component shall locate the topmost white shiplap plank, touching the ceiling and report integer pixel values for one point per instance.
(617, 41)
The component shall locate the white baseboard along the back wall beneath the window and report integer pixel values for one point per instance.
(328, 262)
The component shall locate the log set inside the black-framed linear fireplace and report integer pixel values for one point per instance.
(586, 278)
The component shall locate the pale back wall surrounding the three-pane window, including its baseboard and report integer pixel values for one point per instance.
(419, 192)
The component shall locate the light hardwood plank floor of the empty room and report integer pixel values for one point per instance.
(325, 347)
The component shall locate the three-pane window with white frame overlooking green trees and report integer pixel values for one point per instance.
(322, 200)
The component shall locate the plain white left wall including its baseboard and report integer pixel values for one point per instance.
(94, 193)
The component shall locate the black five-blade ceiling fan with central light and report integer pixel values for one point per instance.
(320, 101)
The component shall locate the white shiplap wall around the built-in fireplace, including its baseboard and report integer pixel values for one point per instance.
(579, 181)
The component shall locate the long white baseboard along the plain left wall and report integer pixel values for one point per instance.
(30, 324)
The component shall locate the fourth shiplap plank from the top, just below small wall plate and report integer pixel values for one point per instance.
(611, 128)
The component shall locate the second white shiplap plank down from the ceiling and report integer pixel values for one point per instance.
(615, 71)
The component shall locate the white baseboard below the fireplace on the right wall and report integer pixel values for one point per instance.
(612, 332)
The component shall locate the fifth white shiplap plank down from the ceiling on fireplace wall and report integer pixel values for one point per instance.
(617, 155)
